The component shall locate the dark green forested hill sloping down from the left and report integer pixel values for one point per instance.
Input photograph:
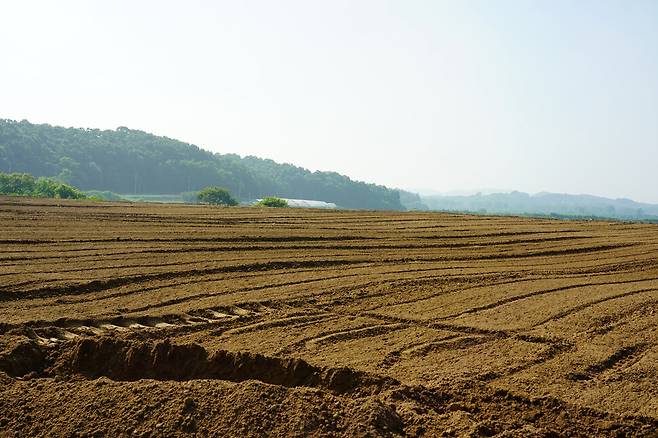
(130, 161)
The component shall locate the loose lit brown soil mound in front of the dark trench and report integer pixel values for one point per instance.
(148, 408)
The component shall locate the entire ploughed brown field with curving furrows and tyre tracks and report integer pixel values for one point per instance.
(163, 320)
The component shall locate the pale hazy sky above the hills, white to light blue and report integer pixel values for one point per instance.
(546, 95)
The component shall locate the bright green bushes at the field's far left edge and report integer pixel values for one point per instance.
(23, 184)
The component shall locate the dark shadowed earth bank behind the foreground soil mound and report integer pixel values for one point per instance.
(134, 360)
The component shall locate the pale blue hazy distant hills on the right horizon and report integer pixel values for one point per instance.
(545, 204)
